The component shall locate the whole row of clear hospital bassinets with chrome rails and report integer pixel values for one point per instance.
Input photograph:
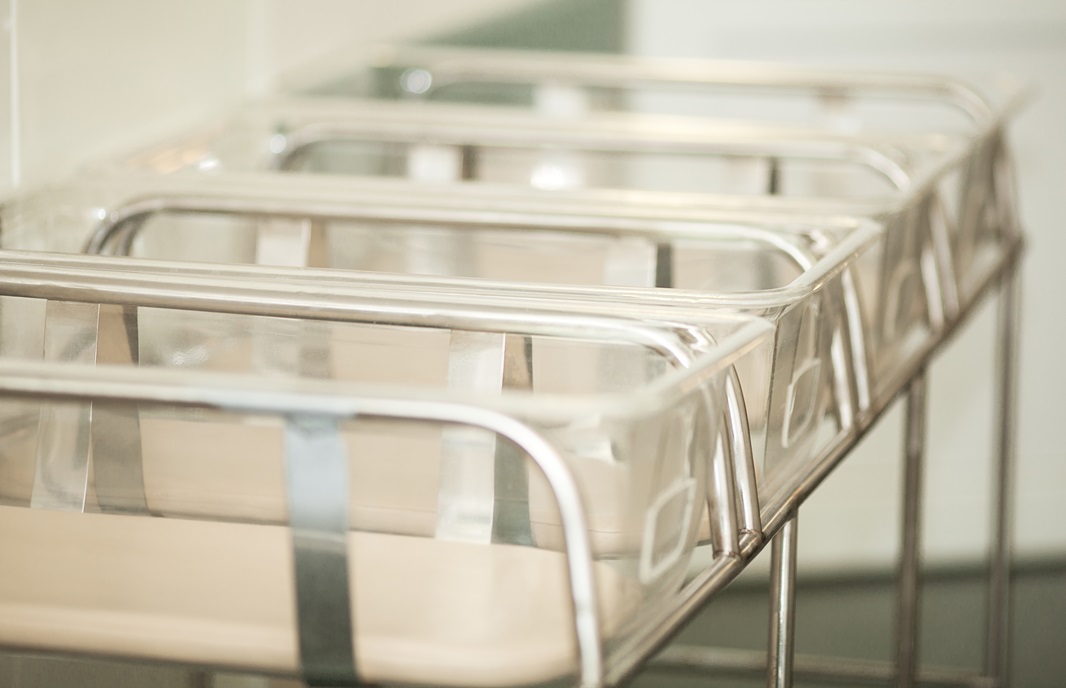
(430, 391)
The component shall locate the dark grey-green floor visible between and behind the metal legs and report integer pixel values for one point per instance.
(853, 618)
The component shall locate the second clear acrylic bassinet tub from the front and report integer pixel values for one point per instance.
(826, 284)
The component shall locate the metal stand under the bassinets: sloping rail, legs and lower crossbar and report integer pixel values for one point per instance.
(906, 668)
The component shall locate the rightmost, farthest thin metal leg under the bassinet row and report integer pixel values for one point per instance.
(997, 660)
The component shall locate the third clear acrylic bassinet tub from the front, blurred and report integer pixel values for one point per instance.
(960, 195)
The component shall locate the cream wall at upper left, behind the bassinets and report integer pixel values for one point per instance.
(93, 78)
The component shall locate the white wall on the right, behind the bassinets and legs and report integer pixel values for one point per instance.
(852, 520)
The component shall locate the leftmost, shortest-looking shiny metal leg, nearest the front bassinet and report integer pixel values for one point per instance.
(783, 602)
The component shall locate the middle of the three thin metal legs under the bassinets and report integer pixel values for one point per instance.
(910, 573)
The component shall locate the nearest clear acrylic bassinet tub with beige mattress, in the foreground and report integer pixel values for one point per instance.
(596, 436)
